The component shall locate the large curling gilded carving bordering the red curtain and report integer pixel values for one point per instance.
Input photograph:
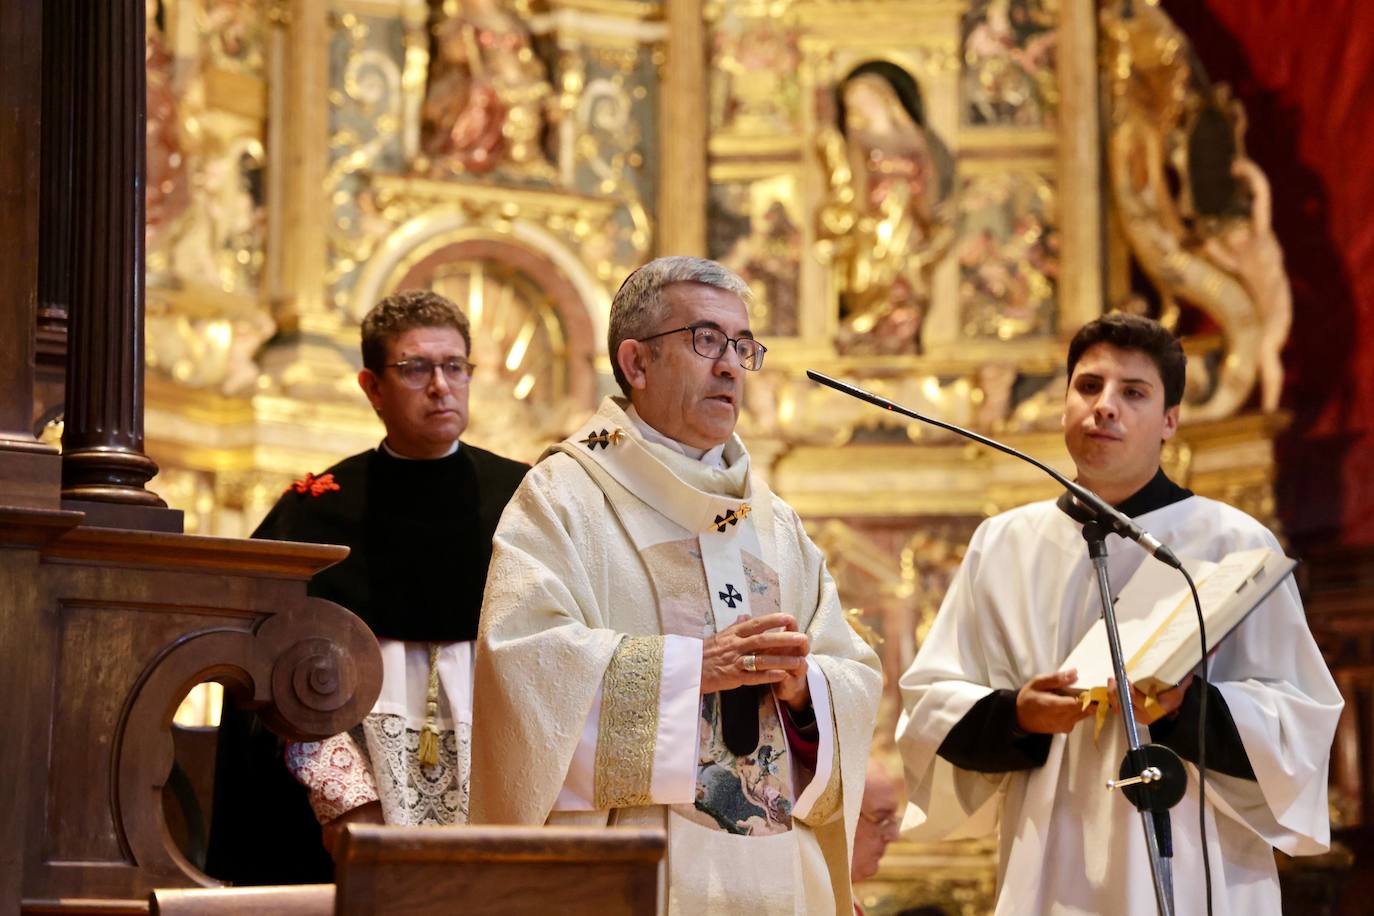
(1195, 211)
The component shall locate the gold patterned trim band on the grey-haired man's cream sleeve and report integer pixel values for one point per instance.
(629, 729)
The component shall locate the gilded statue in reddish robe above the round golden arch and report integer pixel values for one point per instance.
(488, 95)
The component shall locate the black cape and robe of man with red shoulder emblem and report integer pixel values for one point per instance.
(421, 538)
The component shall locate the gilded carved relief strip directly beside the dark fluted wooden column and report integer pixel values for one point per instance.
(207, 227)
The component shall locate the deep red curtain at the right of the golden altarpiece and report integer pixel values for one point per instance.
(1305, 71)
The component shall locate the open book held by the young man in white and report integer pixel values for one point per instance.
(1160, 627)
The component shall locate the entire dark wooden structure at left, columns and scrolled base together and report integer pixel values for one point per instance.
(108, 613)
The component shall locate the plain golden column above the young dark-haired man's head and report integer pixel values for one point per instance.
(1082, 204)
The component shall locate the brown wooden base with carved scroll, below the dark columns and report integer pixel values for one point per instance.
(102, 635)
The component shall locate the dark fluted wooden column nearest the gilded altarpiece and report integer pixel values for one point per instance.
(104, 459)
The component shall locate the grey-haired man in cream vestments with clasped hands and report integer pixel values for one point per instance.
(662, 643)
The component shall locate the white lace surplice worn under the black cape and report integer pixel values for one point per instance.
(380, 759)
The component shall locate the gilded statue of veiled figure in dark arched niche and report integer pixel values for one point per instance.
(888, 216)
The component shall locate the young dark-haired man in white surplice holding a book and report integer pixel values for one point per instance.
(986, 733)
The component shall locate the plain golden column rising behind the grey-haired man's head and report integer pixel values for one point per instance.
(682, 134)
